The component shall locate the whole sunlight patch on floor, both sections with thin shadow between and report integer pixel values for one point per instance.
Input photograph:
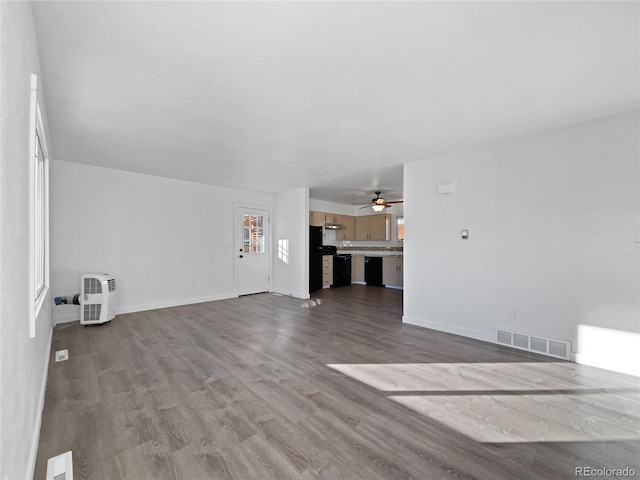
(512, 402)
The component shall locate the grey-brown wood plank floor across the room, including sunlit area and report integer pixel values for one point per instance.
(272, 387)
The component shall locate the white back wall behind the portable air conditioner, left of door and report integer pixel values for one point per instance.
(167, 242)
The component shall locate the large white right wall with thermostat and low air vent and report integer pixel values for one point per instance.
(552, 220)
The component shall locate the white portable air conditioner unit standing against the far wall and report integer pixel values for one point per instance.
(97, 298)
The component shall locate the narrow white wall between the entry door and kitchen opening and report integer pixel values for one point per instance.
(291, 222)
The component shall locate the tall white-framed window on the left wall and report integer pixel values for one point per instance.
(38, 211)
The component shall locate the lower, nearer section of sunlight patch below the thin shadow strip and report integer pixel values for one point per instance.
(531, 418)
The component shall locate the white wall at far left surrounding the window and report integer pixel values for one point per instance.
(23, 360)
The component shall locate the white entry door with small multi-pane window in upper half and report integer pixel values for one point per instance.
(253, 257)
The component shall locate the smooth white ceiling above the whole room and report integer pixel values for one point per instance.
(334, 96)
